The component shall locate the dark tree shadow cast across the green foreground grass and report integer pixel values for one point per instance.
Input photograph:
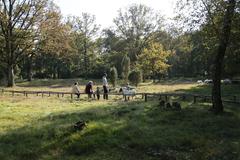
(131, 131)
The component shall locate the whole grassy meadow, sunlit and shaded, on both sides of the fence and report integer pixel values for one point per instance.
(37, 128)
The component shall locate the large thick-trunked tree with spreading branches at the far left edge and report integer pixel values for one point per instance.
(18, 21)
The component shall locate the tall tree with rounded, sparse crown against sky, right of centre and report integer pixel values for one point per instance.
(135, 25)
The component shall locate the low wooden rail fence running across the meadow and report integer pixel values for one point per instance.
(145, 96)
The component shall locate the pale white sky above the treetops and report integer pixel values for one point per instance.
(106, 10)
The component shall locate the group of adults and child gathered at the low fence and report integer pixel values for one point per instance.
(89, 89)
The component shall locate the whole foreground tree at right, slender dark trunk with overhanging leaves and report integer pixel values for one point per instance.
(215, 18)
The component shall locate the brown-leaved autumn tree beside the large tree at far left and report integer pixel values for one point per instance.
(54, 41)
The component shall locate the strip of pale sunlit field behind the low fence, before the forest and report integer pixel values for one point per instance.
(64, 85)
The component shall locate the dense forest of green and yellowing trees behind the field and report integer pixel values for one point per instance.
(36, 41)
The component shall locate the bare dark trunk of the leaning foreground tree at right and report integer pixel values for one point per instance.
(217, 105)
